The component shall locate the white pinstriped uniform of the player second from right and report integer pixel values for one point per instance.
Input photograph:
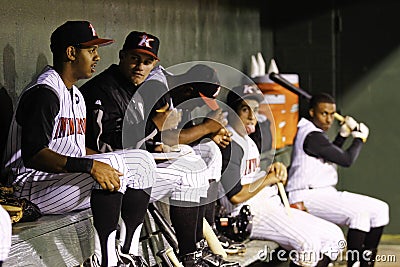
(300, 231)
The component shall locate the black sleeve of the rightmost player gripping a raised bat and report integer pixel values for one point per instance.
(317, 144)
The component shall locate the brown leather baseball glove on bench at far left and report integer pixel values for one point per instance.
(20, 210)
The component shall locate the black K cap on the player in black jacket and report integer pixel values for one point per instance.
(142, 42)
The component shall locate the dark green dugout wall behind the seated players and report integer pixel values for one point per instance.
(350, 50)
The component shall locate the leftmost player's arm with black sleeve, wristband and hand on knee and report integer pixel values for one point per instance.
(35, 114)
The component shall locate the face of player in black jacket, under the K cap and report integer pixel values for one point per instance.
(136, 66)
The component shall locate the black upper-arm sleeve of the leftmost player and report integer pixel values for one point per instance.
(35, 113)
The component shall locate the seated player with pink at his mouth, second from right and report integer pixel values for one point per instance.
(245, 183)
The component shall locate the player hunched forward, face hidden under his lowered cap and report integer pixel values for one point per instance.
(197, 87)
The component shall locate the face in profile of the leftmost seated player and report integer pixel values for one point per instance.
(85, 62)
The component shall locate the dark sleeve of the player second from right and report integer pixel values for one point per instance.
(231, 175)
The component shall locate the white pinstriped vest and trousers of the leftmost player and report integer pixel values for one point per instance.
(63, 192)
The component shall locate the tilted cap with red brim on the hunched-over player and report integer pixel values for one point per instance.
(205, 81)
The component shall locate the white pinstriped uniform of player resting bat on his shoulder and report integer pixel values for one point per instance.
(313, 181)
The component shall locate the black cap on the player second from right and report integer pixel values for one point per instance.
(242, 92)
